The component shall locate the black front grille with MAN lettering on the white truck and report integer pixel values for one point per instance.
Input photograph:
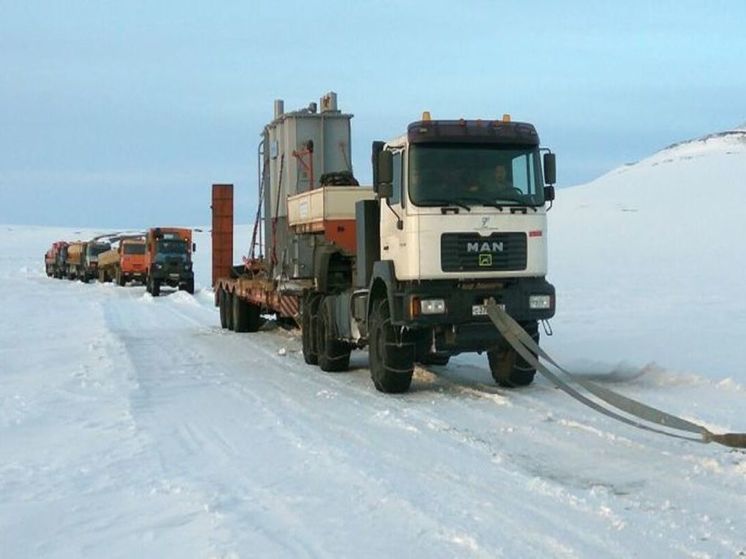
(462, 252)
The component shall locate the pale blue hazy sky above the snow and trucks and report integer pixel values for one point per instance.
(121, 114)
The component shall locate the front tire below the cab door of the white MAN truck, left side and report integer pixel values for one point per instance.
(390, 368)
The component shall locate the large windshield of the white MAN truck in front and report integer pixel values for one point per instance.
(475, 174)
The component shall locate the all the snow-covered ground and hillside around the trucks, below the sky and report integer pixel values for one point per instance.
(133, 426)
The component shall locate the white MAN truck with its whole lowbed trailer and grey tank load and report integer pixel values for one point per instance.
(456, 216)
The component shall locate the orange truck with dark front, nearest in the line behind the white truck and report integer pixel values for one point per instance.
(168, 259)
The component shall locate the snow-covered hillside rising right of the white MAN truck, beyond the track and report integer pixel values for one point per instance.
(648, 260)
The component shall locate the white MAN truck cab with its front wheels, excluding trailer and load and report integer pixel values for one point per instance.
(461, 215)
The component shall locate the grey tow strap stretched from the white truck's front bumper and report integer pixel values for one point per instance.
(674, 426)
